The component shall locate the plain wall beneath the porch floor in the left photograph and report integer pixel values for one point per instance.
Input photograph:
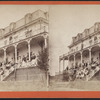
(25, 74)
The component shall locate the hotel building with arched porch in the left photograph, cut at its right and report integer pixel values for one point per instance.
(29, 34)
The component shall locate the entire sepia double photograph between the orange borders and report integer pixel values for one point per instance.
(50, 48)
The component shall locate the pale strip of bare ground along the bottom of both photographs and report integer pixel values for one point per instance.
(58, 86)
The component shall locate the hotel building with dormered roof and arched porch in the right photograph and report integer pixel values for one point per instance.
(85, 48)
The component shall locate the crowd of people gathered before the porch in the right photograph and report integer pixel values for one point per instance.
(81, 71)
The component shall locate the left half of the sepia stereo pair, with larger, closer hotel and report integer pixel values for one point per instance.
(24, 56)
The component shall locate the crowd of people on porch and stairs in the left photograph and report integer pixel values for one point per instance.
(23, 61)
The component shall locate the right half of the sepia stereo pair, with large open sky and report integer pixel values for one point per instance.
(74, 47)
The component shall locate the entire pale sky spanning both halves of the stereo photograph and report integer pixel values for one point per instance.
(65, 21)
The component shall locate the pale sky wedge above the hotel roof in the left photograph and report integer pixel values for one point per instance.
(13, 13)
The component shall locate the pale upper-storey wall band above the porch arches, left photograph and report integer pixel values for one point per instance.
(22, 36)
